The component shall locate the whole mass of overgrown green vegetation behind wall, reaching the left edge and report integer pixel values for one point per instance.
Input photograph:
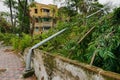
(95, 40)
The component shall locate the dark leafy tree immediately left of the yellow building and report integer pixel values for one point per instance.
(24, 21)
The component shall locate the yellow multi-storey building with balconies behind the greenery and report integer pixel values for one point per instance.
(44, 17)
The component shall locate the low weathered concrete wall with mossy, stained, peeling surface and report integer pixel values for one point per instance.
(51, 67)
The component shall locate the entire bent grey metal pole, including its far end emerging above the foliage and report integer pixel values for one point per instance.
(29, 55)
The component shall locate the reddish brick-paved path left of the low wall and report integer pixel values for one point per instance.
(11, 67)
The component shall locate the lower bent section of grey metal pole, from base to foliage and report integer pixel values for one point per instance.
(29, 55)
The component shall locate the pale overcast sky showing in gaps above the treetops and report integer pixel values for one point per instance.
(114, 2)
